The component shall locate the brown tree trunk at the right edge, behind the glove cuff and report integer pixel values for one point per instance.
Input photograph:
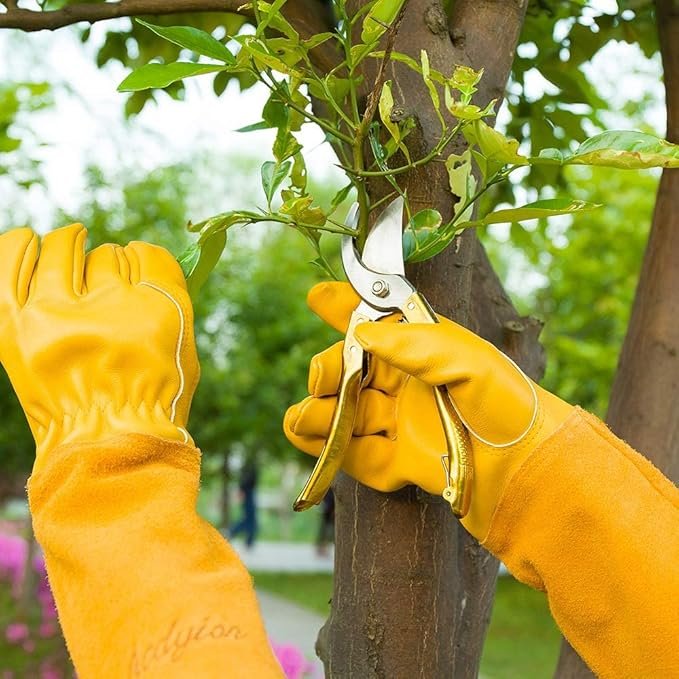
(644, 406)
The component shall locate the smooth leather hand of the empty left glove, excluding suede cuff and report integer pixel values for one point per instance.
(95, 345)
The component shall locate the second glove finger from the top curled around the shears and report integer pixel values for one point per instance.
(325, 374)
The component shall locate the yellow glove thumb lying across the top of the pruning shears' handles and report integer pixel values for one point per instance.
(434, 353)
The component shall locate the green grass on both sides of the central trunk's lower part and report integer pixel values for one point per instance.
(522, 640)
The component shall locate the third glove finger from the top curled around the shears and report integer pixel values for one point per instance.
(376, 414)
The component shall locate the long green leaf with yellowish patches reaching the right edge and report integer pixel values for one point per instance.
(623, 149)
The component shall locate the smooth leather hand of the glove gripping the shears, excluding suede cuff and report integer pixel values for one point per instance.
(398, 437)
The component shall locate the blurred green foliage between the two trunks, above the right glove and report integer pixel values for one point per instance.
(583, 276)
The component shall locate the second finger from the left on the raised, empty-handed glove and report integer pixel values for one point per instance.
(61, 265)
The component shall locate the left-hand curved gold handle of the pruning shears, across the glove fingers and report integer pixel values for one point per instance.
(342, 425)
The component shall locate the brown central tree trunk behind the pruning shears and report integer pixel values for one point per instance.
(413, 591)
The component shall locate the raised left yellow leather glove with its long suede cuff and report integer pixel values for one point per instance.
(101, 352)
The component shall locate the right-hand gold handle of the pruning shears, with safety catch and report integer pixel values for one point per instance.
(460, 469)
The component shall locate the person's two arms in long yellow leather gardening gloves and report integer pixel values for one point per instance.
(100, 350)
